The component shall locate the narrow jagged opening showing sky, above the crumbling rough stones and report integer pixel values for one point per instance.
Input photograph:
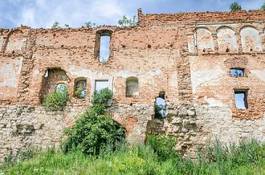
(160, 106)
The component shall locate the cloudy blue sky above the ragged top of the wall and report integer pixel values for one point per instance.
(43, 13)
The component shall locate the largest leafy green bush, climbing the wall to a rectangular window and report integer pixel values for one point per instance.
(95, 131)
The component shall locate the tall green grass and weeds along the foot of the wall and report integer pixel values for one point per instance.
(245, 159)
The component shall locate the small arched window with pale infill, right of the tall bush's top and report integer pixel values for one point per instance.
(132, 87)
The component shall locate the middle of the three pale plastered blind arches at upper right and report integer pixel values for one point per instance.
(226, 39)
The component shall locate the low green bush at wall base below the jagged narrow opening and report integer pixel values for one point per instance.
(163, 145)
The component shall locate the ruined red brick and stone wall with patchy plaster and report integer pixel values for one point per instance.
(187, 55)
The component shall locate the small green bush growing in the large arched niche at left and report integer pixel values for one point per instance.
(56, 101)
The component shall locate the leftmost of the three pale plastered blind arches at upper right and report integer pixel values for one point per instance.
(204, 40)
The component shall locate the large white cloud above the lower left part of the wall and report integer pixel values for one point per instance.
(43, 13)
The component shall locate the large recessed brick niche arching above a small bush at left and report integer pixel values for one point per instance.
(51, 78)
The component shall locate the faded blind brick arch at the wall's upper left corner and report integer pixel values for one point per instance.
(16, 41)
